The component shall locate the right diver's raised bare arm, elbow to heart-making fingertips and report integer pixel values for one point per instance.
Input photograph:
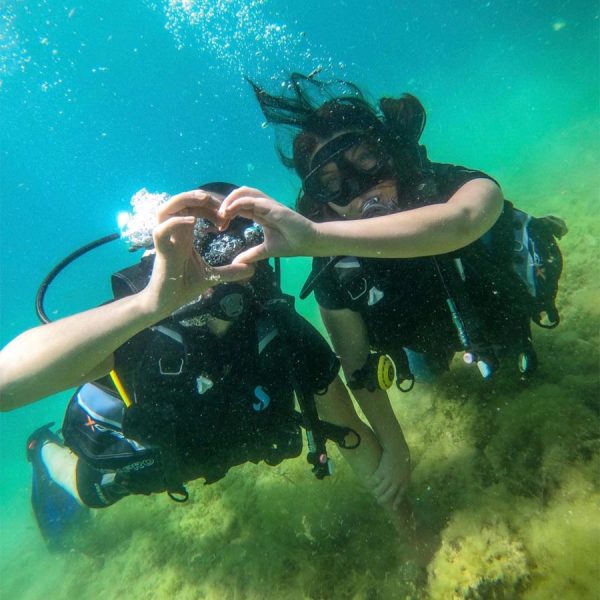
(425, 231)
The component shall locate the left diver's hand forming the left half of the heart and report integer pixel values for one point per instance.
(180, 275)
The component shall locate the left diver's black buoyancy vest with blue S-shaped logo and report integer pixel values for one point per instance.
(189, 421)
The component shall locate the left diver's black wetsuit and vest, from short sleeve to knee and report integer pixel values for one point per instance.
(202, 405)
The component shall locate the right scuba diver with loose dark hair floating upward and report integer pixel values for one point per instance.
(414, 260)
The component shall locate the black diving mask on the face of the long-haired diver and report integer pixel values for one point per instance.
(335, 177)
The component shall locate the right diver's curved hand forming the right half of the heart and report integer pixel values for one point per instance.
(286, 232)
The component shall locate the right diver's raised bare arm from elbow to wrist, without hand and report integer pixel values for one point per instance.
(426, 231)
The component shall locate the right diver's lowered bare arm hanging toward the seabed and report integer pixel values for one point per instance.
(349, 337)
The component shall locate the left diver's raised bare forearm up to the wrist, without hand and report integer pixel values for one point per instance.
(53, 357)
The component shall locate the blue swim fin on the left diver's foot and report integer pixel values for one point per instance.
(55, 510)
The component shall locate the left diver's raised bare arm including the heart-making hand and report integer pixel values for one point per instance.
(59, 355)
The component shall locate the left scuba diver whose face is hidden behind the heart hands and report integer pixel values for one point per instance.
(192, 369)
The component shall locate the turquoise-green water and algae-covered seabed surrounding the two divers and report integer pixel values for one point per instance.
(100, 99)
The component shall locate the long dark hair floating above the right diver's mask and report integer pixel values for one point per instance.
(313, 110)
